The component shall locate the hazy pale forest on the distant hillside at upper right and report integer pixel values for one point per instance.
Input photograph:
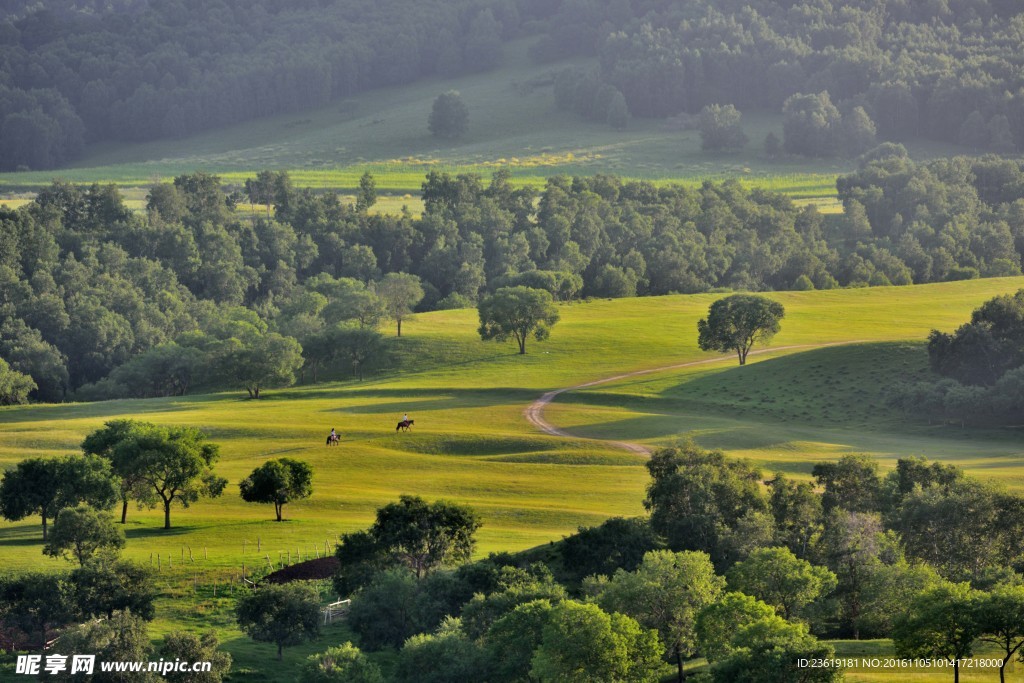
(951, 71)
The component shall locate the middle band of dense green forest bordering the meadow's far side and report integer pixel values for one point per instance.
(98, 302)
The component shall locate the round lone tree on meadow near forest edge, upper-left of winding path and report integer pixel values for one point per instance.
(518, 313)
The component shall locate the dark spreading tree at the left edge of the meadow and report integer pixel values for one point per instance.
(44, 487)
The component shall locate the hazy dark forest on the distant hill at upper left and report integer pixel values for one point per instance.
(74, 73)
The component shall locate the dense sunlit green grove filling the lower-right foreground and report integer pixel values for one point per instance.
(744, 571)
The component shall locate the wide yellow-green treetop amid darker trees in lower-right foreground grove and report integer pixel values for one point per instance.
(782, 580)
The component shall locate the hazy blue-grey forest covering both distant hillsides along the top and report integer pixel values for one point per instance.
(72, 73)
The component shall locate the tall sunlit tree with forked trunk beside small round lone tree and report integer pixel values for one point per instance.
(175, 464)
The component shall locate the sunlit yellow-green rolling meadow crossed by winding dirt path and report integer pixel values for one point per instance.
(473, 445)
